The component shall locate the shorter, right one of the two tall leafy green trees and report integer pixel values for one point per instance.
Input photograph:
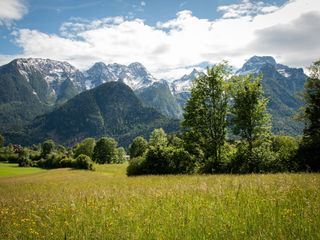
(249, 118)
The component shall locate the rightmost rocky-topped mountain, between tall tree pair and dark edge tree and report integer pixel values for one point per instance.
(282, 85)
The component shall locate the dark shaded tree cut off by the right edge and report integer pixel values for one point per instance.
(310, 148)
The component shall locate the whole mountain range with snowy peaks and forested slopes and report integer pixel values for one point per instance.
(32, 87)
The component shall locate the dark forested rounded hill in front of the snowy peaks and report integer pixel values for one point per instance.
(111, 109)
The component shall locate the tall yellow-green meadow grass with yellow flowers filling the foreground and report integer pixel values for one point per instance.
(105, 204)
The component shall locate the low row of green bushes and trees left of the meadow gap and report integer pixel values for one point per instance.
(51, 155)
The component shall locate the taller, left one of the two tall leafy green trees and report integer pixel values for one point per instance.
(206, 111)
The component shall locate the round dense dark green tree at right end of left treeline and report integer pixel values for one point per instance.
(105, 150)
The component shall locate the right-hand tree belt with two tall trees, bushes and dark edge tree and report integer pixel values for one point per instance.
(226, 129)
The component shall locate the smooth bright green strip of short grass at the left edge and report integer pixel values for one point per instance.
(12, 169)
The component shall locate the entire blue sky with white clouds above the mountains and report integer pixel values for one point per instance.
(169, 37)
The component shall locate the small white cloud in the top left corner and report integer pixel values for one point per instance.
(11, 10)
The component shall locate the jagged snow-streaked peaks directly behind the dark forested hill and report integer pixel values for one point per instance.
(150, 91)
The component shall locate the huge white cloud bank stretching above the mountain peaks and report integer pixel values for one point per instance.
(171, 48)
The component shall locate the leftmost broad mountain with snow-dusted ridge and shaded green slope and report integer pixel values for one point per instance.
(30, 87)
